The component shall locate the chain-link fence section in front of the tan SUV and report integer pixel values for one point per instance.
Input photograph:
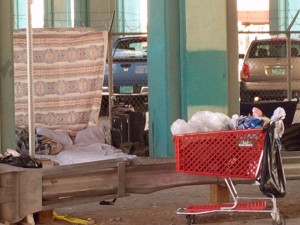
(270, 68)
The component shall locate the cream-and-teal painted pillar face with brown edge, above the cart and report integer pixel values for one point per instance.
(209, 57)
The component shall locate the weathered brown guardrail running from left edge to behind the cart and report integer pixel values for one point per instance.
(61, 186)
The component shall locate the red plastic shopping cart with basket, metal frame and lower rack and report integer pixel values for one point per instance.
(225, 154)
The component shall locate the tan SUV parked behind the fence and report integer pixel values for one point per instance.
(264, 71)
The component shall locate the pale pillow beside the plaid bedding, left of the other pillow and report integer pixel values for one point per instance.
(57, 136)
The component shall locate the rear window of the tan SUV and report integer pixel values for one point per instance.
(273, 49)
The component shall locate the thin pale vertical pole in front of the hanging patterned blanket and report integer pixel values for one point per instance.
(31, 129)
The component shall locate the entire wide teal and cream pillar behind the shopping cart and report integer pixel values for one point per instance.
(193, 64)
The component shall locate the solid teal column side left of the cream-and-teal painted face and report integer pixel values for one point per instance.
(163, 73)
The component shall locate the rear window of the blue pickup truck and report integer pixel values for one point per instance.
(131, 49)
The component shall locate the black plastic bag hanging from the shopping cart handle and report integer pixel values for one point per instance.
(272, 181)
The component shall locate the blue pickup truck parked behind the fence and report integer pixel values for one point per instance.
(129, 74)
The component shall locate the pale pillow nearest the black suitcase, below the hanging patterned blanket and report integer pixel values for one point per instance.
(90, 135)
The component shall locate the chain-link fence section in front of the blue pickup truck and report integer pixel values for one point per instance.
(126, 76)
